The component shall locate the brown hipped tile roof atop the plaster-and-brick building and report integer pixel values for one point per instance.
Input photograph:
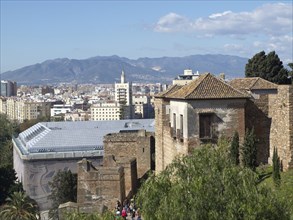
(207, 86)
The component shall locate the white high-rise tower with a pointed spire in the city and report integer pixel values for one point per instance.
(123, 96)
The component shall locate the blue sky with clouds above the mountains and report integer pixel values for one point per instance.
(35, 31)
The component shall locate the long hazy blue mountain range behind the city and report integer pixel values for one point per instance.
(107, 69)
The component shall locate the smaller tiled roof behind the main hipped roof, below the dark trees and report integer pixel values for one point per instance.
(252, 83)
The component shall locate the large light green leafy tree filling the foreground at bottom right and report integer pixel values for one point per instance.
(206, 185)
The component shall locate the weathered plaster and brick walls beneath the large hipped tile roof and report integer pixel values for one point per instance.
(228, 116)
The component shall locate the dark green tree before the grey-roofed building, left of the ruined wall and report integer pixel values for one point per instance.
(63, 189)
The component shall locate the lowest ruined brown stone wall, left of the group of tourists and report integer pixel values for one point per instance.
(99, 186)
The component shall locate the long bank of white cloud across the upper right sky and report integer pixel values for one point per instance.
(273, 19)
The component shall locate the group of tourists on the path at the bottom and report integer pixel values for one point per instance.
(127, 209)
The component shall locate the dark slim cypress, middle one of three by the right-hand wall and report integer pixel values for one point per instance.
(249, 150)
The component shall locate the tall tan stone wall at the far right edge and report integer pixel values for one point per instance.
(281, 112)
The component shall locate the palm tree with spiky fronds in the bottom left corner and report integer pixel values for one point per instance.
(19, 206)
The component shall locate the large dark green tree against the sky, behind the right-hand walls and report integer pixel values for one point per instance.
(268, 67)
